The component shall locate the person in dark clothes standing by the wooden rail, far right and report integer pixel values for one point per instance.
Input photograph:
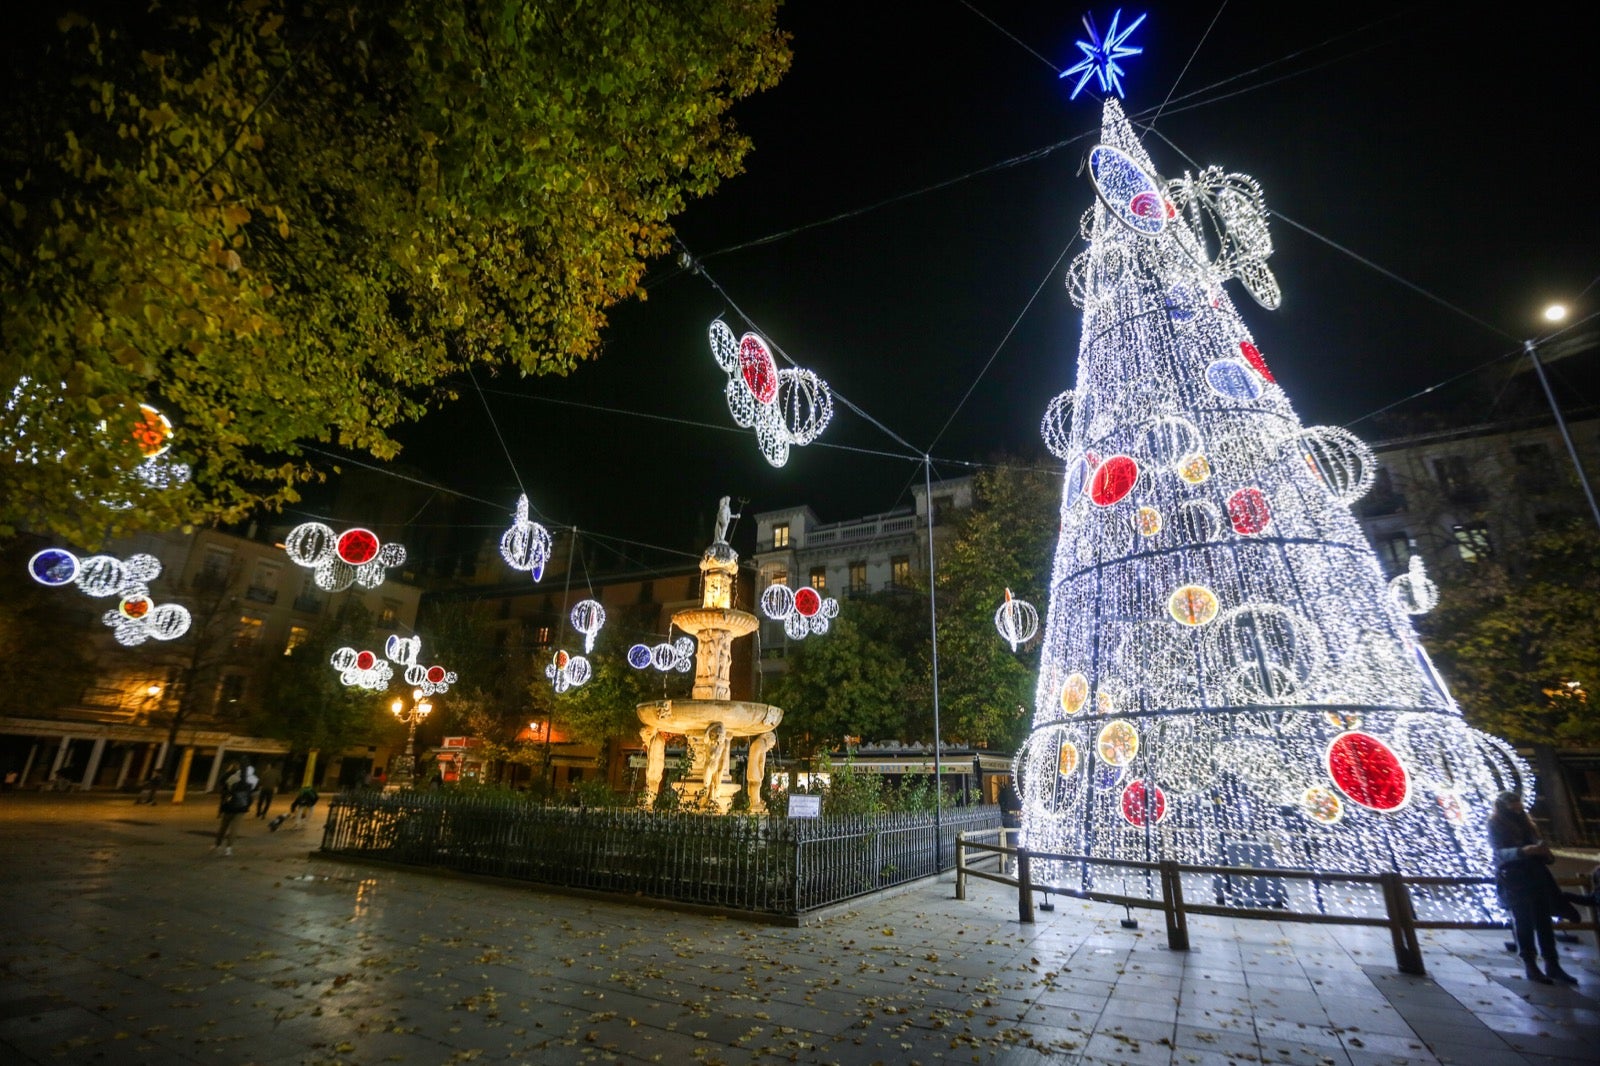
(1526, 888)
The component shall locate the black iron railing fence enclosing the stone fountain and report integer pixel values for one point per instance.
(766, 865)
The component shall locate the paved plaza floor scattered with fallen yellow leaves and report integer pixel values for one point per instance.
(127, 942)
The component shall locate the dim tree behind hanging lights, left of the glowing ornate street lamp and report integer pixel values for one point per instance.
(303, 700)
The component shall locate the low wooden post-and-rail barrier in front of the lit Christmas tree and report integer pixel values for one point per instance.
(1399, 915)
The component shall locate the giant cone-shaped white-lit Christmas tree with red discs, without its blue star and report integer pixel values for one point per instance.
(1228, 678)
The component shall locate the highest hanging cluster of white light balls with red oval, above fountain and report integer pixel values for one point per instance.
(786, 407)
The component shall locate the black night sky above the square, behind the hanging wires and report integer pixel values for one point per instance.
(1452, 150)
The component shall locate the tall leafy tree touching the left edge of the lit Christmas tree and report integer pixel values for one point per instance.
(1004, 542)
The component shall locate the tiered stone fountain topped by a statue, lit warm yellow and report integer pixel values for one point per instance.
(710, 721)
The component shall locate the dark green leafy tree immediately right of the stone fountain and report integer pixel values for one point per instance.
(858, 681)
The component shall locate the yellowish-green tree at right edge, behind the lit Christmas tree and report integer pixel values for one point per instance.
(1516, 639)
